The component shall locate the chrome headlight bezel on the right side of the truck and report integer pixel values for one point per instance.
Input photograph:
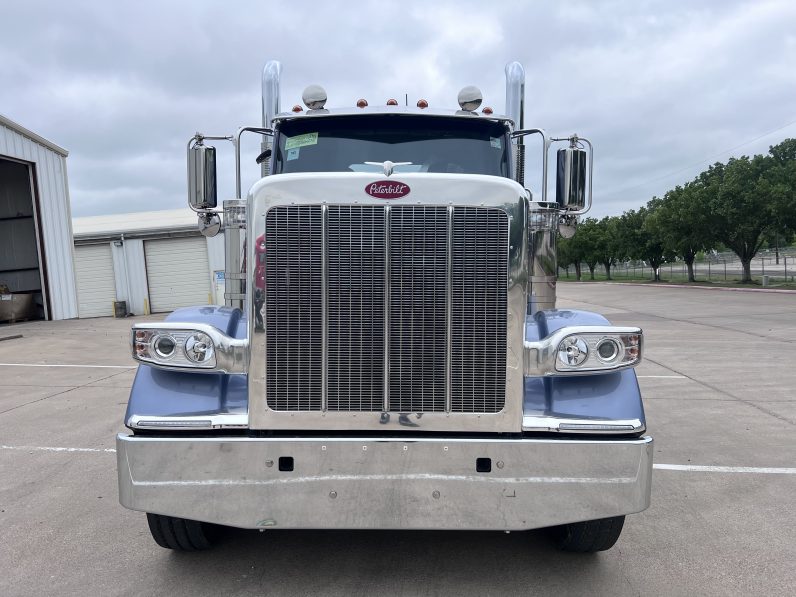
(549, 356)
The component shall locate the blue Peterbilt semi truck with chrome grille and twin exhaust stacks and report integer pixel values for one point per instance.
(390, 354)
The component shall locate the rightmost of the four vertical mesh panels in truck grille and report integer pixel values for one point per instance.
(478, 309)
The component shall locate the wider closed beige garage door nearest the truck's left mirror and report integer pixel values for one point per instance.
(177, 273)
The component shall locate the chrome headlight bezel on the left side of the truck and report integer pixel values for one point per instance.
(226, 354)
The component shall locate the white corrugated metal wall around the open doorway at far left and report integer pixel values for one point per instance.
(55, 216)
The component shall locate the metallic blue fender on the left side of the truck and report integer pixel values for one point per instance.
(156, 392)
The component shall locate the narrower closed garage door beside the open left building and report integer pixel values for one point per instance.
(96, 286)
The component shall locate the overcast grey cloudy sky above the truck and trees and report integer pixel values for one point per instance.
(663, 88)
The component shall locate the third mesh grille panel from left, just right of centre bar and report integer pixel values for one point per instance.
(418, 319)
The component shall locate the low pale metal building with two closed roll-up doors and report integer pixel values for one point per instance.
(154, 261)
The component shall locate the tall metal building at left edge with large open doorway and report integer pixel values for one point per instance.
(37, 279)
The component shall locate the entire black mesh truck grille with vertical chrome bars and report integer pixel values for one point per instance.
(403, 305)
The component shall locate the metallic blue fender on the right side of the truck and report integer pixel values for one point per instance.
(603, 396)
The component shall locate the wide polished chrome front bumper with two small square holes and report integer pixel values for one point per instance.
(395, 483)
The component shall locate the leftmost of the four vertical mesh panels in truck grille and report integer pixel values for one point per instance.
(293, 308)
